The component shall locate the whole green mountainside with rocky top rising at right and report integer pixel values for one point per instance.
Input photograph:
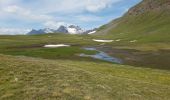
(147, 21)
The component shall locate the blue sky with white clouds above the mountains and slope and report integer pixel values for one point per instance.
(20, 16)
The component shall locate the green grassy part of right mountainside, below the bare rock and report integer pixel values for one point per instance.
(149, 27)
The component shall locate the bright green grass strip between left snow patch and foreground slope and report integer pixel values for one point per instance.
(49, 53)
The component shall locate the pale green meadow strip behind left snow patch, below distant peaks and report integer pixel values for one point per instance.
(23, 40)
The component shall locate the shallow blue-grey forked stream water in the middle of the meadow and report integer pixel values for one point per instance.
(102, 56)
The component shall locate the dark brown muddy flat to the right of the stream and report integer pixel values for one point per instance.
(152, 59)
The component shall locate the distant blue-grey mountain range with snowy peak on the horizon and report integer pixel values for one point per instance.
(72, 29)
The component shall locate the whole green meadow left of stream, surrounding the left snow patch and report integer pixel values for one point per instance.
(33, 46)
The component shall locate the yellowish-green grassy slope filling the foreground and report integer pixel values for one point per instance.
(31, 78)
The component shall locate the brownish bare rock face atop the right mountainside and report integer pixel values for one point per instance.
(150, 5)
